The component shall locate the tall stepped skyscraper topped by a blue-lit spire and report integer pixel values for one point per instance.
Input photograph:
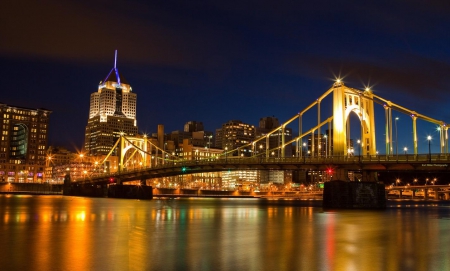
(112, 112)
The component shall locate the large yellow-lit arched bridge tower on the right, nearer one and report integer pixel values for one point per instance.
(346, 101)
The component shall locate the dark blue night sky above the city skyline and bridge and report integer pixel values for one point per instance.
(215, 61)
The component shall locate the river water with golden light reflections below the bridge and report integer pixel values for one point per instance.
(70, 233)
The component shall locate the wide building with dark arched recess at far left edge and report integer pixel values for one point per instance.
(23, 145)
